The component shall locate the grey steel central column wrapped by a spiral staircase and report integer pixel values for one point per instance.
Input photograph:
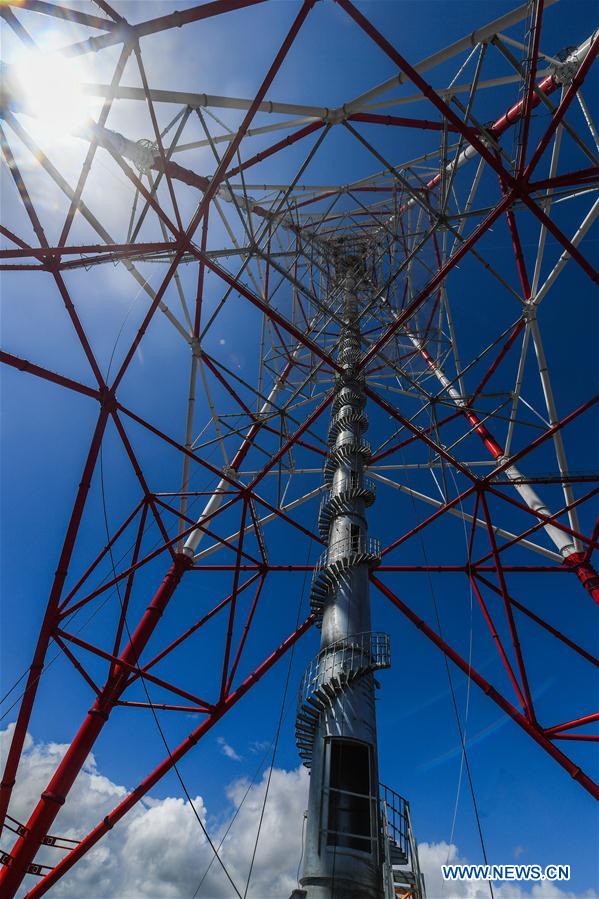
(336, 722)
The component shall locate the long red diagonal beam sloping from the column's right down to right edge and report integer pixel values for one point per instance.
(537, 734)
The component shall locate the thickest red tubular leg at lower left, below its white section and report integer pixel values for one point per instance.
(52, 799)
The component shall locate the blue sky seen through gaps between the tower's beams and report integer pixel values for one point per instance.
(525, 799)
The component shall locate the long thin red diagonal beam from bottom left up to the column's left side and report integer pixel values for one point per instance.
(175, 756)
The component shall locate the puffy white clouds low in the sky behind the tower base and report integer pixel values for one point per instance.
(158, 851)
